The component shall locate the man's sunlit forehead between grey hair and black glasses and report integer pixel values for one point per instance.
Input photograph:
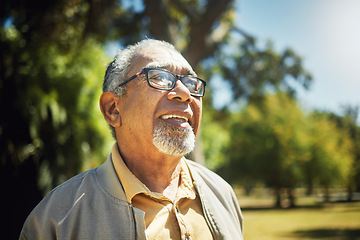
(161, 57)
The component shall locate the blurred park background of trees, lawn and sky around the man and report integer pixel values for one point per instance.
(295, 164)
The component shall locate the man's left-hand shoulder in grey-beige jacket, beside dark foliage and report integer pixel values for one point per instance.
(81, 208)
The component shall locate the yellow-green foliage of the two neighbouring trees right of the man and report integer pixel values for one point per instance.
(276, 143)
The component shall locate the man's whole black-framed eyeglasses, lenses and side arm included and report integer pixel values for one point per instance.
(164, 80)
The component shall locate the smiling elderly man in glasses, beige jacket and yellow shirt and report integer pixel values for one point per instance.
(146, 189)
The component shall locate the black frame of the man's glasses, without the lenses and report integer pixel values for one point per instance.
(180, 77)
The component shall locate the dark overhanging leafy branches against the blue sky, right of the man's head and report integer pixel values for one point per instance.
(252, 71)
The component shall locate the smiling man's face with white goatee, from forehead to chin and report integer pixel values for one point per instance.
(165, 120)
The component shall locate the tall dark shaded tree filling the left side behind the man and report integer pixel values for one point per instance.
(50, 78)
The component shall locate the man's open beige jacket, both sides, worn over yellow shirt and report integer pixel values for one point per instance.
(93, 205)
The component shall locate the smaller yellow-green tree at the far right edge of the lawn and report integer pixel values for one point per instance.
(329, 154)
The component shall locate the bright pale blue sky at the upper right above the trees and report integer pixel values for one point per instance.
(325, 33)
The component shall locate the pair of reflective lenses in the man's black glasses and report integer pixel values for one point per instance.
(166, 81)
